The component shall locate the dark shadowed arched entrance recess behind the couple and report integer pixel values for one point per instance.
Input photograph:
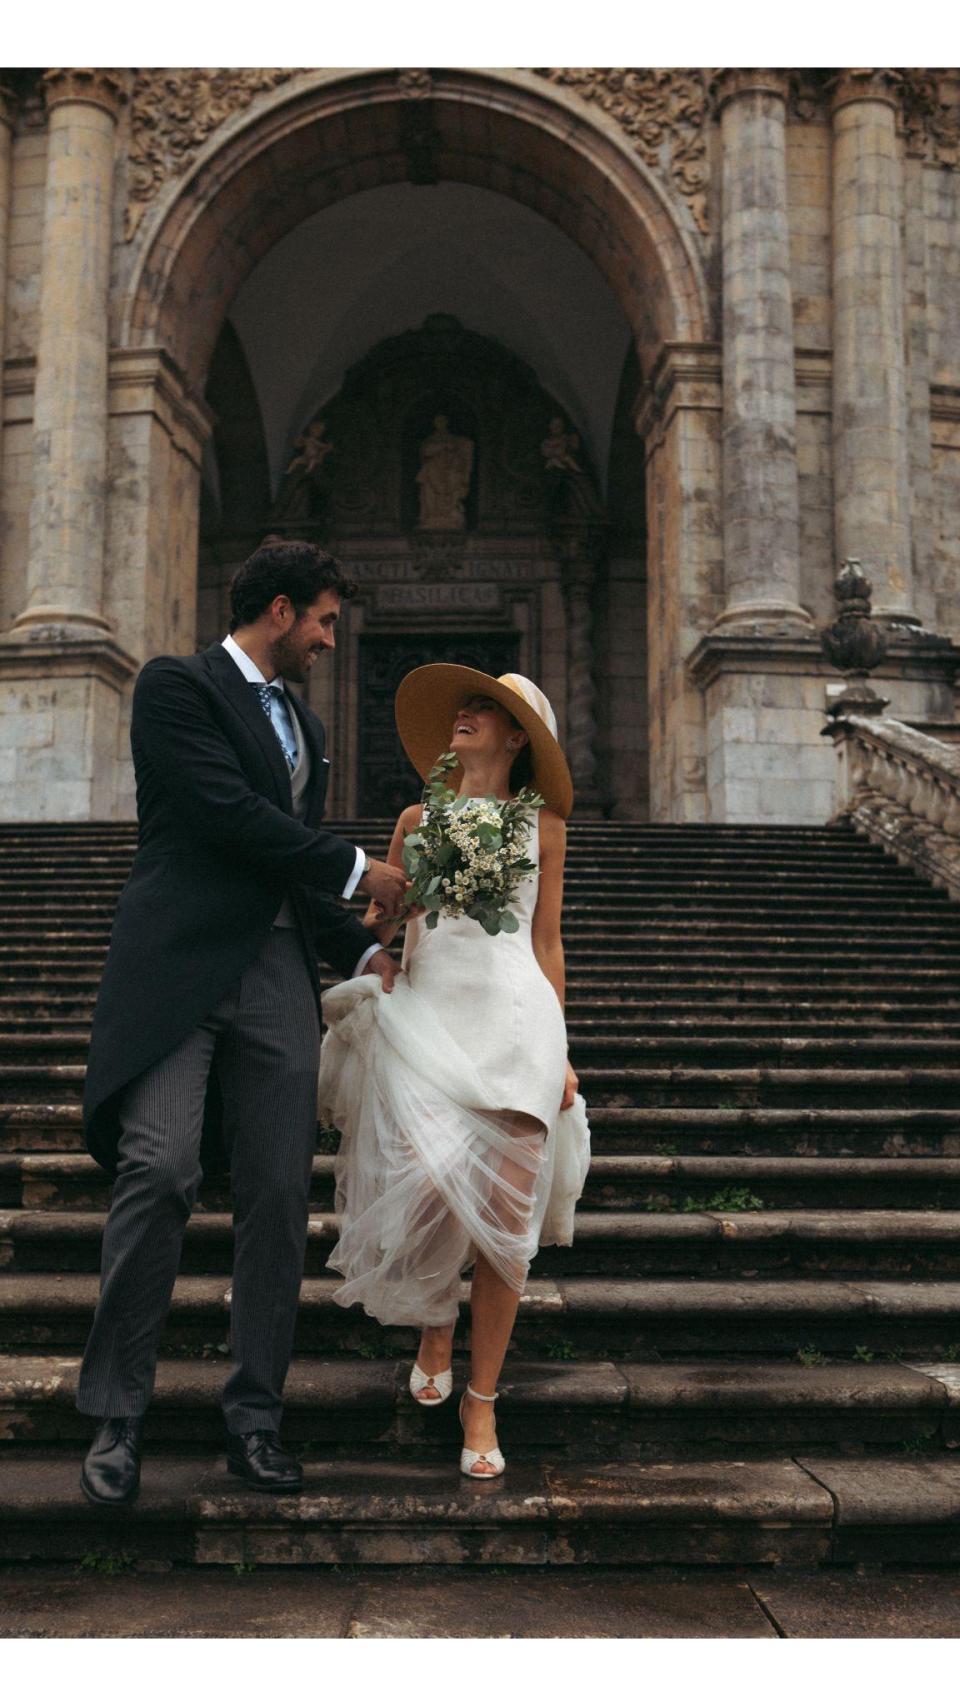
(316, 444)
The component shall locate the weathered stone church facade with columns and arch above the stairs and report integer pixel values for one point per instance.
(596, 374)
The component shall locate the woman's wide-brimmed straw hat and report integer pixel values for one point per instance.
(431, 697)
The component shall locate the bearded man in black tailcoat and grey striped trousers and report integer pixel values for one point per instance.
(207, 1023)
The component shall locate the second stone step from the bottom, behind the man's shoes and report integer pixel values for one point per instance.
(579, 1410)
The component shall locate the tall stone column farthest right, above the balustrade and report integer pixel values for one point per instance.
(870, 383)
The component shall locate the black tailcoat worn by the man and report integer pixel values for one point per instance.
(219, 849)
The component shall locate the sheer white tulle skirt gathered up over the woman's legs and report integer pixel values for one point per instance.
(429, 1169)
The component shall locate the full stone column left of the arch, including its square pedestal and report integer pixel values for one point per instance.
(62, 673)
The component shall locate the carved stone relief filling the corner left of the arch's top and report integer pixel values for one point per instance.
(173, 113)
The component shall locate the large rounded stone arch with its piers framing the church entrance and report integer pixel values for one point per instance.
(328, 136)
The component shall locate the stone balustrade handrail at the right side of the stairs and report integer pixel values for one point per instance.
(903, 791)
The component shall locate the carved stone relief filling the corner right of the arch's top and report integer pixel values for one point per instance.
(662, 112)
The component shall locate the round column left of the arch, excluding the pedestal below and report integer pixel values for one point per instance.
(71, 402)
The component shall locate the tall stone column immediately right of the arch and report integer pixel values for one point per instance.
(761, 528)
